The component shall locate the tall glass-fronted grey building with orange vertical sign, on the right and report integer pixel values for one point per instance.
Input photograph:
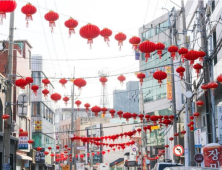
(158, 99)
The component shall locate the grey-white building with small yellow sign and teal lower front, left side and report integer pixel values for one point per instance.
(43, 115)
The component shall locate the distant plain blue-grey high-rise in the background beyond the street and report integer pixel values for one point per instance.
(127, 100)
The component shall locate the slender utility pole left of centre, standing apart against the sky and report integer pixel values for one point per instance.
(72, 121)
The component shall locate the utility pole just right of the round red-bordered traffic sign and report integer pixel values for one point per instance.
(188, 137)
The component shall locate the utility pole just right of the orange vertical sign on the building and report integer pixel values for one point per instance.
(172, 30)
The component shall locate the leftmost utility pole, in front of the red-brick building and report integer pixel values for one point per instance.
(8, 95)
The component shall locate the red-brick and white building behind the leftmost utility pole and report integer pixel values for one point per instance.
(21, 68)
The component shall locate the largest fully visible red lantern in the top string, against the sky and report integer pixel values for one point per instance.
(89, 32)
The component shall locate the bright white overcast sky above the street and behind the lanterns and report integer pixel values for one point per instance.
(125, 16)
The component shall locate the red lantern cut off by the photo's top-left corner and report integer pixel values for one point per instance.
(6, 6)
